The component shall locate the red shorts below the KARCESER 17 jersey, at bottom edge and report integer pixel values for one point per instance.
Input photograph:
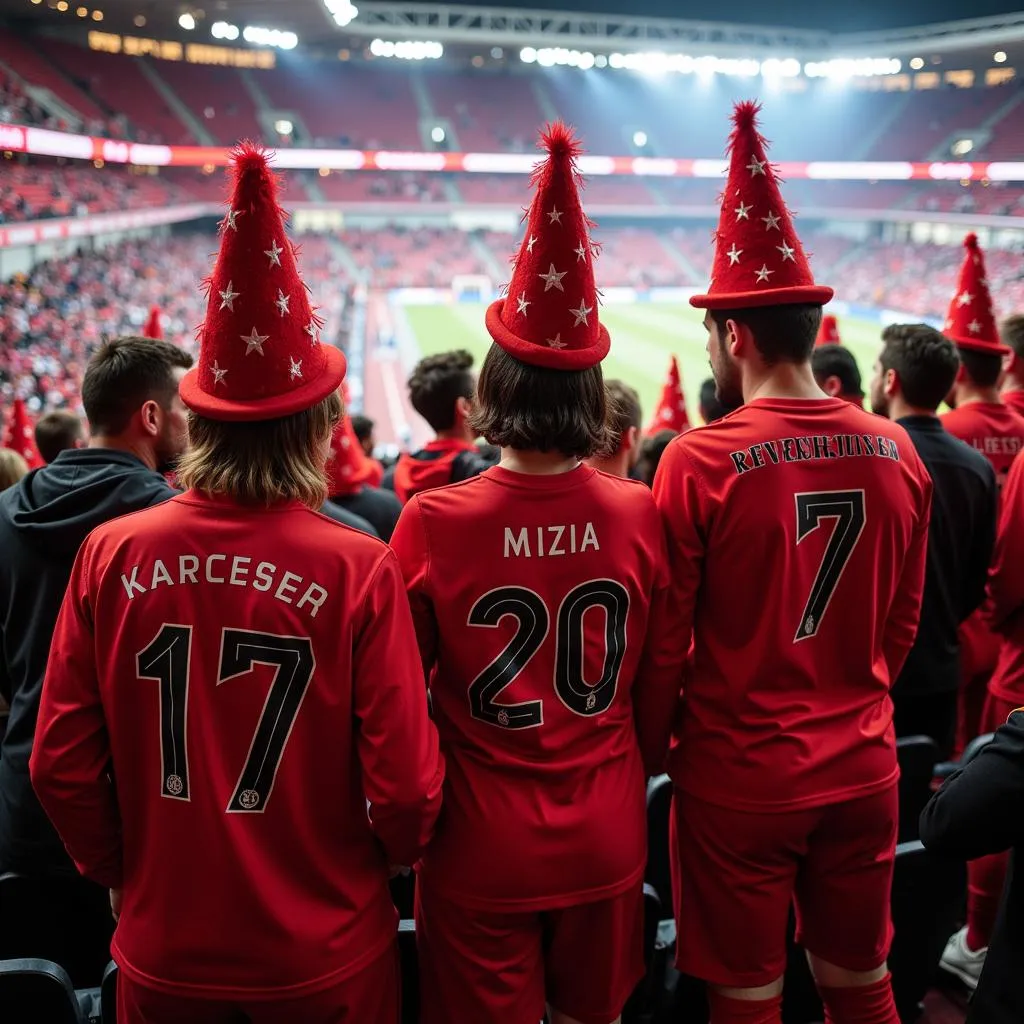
(370, 997)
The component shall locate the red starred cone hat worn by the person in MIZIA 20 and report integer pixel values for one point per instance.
(549, 318)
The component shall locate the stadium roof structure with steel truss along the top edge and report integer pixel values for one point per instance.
(459, 24)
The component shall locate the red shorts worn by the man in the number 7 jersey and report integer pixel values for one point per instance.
(736, 875)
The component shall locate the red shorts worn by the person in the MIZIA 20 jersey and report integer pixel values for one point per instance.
(479, 966)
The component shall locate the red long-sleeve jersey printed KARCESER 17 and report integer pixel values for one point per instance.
(234, 729)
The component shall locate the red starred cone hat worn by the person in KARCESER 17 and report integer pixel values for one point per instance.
(261, 354)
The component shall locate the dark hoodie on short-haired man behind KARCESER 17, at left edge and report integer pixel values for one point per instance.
(44, 522)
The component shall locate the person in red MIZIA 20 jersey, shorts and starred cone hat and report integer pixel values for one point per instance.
(537, 589)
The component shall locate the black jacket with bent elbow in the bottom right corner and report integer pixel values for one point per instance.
(980, 812)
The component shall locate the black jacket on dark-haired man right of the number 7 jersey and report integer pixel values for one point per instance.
(961, 538)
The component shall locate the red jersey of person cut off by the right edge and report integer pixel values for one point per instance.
(1004, 610)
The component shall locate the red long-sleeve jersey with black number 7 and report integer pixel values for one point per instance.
(797, 539)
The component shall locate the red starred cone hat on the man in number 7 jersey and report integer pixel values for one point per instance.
(759, 261)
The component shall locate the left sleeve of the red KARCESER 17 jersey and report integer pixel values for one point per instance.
(71, 755)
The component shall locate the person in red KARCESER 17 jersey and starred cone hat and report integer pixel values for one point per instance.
(234, 685)
